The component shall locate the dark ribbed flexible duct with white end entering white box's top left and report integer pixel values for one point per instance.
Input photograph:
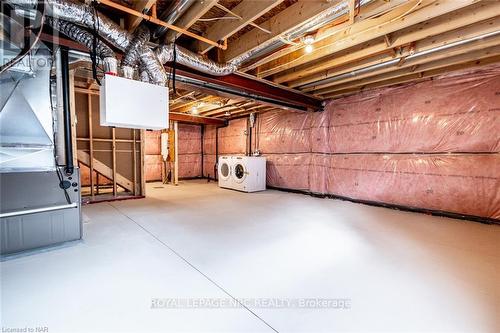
(84, 37)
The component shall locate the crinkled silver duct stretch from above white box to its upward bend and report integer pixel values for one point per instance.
(187, 58)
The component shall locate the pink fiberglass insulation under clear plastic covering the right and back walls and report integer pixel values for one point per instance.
(432, 145)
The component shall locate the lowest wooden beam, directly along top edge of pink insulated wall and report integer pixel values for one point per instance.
(417, 76)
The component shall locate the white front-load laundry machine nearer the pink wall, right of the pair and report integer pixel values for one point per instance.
(248, 173)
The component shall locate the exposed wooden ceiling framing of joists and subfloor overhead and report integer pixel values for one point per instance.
(382, 43)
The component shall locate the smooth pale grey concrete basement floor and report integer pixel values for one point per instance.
(400, 271)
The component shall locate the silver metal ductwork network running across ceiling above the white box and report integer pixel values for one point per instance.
(151, 62)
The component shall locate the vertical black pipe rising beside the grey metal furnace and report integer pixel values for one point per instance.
(68, 142)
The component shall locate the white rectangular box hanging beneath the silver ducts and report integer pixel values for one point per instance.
(133, 104)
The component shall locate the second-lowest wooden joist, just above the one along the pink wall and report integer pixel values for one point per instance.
(431, 67)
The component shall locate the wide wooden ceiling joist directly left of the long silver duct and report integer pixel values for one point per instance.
(279, 24)
